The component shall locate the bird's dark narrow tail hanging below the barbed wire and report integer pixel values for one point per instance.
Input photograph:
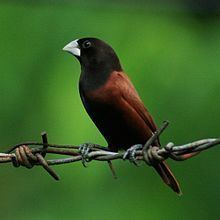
(164, 171)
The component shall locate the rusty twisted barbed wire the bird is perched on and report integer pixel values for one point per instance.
(24, 155)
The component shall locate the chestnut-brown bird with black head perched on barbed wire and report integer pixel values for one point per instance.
(113, 103)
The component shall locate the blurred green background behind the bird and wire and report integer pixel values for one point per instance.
(171, 51)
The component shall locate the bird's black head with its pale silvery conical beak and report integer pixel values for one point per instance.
(94, 55)
